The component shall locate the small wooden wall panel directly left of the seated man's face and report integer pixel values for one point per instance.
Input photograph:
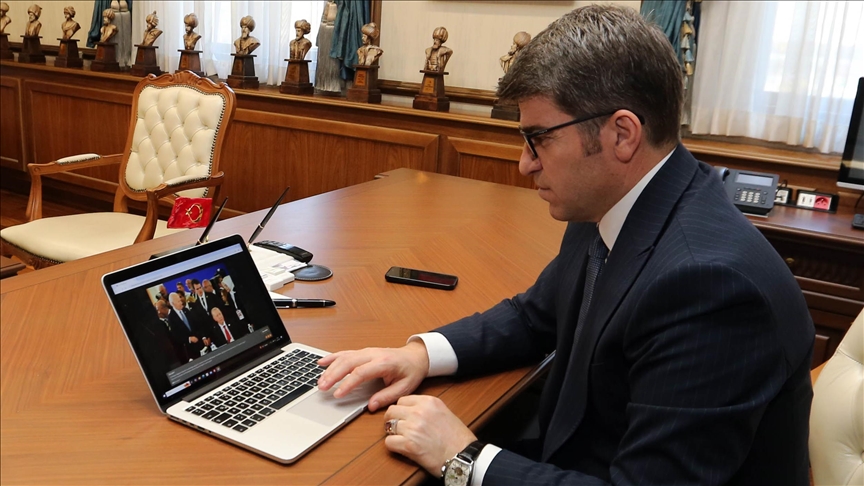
(485, 161)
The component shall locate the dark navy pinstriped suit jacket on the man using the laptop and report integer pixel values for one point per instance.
(693, 367)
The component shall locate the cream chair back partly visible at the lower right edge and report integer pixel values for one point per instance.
(837, 416)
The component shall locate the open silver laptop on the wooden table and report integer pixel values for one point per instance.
(223, 363)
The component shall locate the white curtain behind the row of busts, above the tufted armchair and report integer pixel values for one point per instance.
(219, 26)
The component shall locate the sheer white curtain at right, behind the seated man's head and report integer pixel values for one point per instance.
(779, 71)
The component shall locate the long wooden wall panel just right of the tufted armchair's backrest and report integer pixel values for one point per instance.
(267, 151)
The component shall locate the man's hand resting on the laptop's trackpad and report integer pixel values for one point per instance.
(401, 368)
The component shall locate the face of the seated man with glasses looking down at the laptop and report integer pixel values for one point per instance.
(576, 186)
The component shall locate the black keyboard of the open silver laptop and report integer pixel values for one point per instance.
(250, 400)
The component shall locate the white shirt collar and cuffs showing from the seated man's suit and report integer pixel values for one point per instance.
(442, 357)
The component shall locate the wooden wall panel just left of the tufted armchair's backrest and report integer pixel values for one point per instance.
(71, 120)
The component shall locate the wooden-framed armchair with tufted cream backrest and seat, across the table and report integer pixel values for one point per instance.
(175, 137)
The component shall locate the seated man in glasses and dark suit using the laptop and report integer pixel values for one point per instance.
(682, 342)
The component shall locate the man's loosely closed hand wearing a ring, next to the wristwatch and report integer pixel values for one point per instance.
(427, 432)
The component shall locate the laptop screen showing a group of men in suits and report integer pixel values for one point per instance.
(195, 316)
